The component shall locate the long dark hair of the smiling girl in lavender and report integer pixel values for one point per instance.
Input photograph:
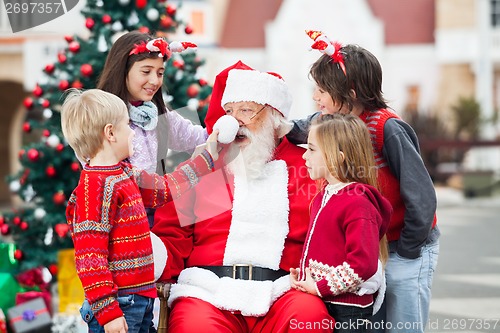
(118, 64)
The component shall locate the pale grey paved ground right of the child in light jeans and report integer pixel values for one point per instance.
(466, 289)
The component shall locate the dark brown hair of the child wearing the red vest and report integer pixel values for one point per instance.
(363, 75)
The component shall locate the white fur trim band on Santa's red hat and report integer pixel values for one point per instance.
(254, 86)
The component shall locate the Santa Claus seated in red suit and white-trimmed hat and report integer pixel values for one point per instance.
(232, 240)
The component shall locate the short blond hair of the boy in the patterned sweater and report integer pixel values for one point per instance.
(84, 115)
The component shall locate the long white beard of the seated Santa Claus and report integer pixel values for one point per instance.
(256, 154)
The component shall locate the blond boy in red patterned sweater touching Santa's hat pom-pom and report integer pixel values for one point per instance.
(106, 211)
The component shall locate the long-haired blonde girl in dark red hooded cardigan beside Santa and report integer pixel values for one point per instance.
(349, 218)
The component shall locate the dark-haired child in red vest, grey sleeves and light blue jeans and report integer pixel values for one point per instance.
(349, 81)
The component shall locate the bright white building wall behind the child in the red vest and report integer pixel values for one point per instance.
(347, 21)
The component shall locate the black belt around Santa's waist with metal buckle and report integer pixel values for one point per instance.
(246, 272)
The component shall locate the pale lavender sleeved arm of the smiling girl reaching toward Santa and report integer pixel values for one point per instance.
(183, 135)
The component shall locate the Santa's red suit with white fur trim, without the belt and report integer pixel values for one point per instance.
(229, 220)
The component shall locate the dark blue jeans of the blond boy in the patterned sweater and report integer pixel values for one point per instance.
(138, 312)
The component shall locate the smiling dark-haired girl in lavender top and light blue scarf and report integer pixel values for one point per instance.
(134, 72)
